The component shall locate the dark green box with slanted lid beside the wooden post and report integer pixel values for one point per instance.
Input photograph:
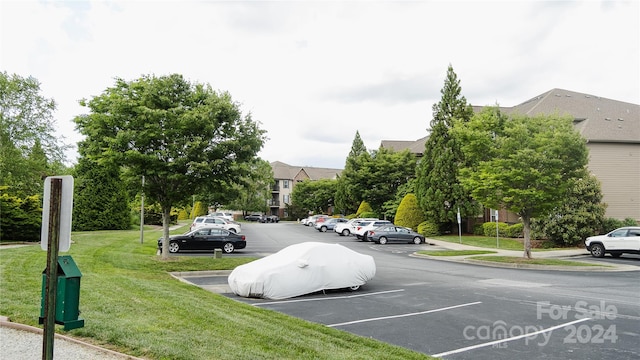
(67, 294)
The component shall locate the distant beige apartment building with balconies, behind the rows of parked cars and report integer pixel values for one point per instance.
(286, 176)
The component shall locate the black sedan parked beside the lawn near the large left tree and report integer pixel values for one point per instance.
(206, 239)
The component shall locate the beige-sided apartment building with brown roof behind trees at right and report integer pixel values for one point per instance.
(612, 130)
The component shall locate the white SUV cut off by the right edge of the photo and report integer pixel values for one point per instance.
(617, 242)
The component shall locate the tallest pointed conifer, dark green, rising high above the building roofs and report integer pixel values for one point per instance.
(438, 189)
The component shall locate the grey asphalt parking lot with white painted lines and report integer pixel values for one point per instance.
(464, 311)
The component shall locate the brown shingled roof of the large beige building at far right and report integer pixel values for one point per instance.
(598, 119)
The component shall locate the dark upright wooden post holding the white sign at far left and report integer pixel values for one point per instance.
(52, 269)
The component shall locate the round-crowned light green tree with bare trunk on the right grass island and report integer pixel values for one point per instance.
(524, 164)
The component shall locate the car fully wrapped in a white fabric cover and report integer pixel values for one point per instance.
(302, 269)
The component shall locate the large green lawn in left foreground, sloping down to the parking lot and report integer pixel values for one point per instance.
(131, 304)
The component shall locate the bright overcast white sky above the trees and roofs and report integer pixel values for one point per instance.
(314, 73)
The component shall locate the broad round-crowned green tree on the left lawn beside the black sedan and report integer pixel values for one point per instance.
(185, 138)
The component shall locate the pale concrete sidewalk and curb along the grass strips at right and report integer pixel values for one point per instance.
(574, 254)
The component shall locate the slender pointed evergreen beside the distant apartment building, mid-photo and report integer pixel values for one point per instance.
(348, 197)
